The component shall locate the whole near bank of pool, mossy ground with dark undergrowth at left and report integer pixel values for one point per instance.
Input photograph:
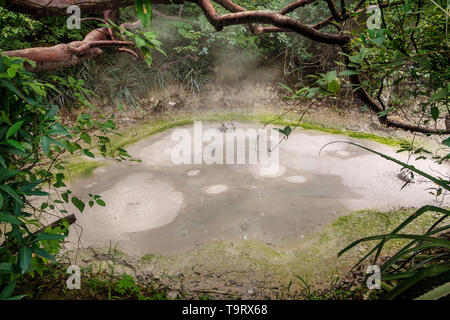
(231, 268)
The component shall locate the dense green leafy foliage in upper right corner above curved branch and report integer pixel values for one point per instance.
(406, 59)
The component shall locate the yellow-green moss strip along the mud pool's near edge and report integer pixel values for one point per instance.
(313, 259)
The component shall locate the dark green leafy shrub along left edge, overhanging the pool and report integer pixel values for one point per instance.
(32, 144)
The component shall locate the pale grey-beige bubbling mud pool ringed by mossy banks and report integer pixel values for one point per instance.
(158, 207)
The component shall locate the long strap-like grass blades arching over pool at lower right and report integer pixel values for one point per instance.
(422, 265)
